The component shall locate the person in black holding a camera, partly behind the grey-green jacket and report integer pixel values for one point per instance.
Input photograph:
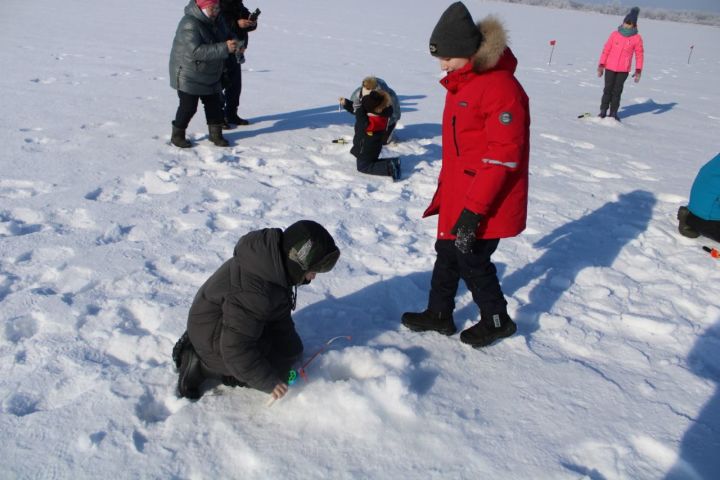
(238, 22)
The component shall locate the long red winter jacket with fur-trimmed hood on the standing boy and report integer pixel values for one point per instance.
(486, 148)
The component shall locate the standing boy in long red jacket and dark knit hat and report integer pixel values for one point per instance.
(483, 185)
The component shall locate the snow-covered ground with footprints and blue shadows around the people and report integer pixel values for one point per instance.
(106, 232)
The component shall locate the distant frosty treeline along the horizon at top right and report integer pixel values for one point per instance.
(619, 10)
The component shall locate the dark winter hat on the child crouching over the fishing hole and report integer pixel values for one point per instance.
(308, 247)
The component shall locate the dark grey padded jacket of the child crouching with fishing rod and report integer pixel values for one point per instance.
(246, 295)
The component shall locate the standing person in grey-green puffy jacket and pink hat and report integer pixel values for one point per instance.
(197, 59)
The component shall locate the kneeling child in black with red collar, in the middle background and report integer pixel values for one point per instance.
(371, 121)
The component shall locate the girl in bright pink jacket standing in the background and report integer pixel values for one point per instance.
(615, 61)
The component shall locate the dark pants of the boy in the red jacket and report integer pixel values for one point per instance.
(476, 270)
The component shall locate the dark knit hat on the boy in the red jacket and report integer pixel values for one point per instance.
(455, 35)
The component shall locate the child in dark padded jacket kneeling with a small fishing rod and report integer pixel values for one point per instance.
(240, 329)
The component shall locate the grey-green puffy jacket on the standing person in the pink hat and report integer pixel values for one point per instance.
(198, 53)
